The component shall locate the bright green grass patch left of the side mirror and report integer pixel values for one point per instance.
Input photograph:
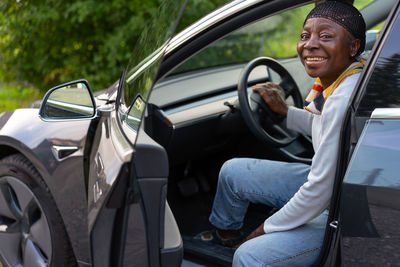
(16, 96)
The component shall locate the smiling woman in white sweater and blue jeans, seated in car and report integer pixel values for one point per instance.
(332, 37)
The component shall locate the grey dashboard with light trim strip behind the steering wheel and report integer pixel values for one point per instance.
(204, 92)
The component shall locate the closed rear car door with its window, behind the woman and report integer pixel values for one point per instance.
(370, 196)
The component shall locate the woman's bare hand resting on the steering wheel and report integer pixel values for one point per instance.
(273, 96)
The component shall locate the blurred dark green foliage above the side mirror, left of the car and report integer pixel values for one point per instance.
(47, 42)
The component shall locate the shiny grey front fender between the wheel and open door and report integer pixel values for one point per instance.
(26, 133)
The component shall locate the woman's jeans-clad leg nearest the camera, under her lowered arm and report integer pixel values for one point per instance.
(298, 247)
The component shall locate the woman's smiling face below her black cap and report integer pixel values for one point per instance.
(326, 49)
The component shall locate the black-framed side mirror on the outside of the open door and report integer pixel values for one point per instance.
(73, 100)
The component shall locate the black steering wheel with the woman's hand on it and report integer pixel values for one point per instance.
(264, 110)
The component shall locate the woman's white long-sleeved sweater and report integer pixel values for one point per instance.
(314, 195)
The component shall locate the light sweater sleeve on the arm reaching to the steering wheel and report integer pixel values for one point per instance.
(299, 120)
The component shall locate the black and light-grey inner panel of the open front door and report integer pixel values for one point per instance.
(152, 169)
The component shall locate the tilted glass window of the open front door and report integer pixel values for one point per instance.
(142, 68)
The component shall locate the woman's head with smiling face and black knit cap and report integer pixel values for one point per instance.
(326, 49)
